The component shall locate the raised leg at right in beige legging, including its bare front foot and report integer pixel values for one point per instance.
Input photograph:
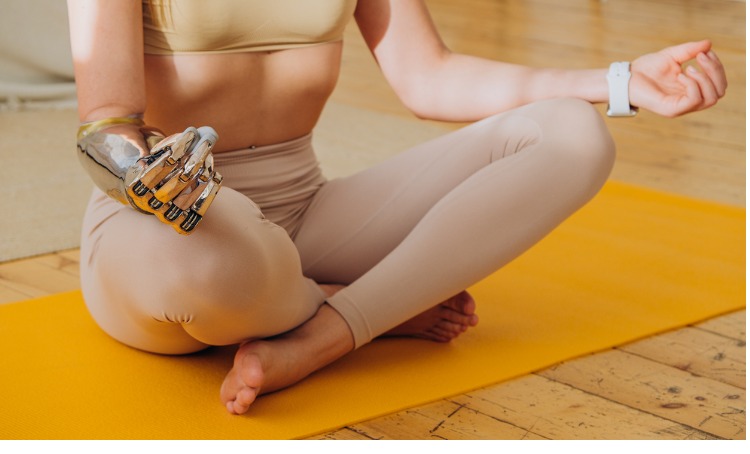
(425, 225)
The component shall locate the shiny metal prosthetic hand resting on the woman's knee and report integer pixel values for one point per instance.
(172, 177)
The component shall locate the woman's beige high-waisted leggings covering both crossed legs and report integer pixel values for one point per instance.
(403, 235)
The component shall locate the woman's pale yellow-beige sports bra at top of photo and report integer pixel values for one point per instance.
(225, 26)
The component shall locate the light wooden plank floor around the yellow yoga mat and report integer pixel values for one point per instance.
(686, 384)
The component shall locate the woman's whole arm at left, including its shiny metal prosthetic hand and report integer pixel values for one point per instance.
(175, 179)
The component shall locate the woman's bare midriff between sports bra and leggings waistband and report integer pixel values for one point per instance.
(249, 98)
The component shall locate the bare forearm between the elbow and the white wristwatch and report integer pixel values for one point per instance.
(467, 88)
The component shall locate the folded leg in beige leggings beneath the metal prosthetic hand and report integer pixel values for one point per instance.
(236, 277)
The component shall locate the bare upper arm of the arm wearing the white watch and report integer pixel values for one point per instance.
(403, 39)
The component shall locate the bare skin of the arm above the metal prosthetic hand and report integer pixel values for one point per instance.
(107, 45)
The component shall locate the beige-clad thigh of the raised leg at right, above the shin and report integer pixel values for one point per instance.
(356, 221)
